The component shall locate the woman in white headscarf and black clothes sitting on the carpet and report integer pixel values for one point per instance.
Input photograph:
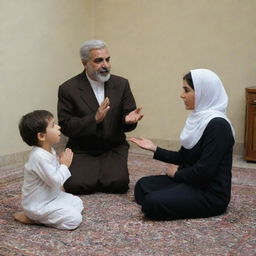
(198, 183)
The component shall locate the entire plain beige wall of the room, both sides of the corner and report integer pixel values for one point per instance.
(152, 43)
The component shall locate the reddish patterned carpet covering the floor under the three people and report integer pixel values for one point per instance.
(114, 224)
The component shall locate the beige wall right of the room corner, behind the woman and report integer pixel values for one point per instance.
(154, 43)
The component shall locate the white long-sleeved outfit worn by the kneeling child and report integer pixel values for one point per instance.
(42, 198)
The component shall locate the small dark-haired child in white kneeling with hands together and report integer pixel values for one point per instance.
(43, 201)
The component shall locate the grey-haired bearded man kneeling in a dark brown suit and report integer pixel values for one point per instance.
(95, 109)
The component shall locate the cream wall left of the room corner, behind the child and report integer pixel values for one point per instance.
(39, 48)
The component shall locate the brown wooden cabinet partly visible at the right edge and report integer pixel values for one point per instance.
(250, 124)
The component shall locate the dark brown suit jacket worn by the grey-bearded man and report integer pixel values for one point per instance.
(77, 106)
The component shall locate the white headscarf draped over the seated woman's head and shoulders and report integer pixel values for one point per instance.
(211, 101)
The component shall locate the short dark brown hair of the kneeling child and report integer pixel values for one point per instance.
(33, 123)
